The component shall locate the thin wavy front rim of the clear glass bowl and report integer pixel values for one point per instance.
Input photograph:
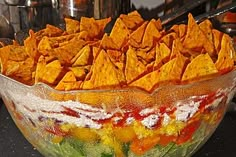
(133, 89)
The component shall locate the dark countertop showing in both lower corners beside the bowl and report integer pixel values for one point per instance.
(13, 144)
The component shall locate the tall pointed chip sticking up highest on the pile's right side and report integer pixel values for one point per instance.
(196, 39)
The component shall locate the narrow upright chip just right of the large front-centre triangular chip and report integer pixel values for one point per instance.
(134, 68)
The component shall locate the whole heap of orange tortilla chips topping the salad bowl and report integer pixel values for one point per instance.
(137, 53)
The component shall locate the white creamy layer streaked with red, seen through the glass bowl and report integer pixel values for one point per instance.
(34, 107)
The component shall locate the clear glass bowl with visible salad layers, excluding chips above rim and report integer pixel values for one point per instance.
(173, 121)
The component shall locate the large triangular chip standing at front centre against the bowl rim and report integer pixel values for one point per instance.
(104, 75)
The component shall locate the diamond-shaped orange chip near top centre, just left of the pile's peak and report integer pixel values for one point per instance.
(122, 30)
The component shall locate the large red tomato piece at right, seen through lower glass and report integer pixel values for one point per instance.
(187, 132)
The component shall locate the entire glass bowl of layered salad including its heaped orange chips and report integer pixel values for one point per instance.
(139, 91)
